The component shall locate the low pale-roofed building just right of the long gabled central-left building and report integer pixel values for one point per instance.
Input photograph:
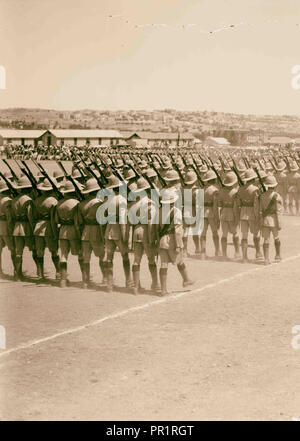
(160, 139)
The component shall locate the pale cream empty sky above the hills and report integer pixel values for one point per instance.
(217, 55)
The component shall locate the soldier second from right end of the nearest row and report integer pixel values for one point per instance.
(144, 212)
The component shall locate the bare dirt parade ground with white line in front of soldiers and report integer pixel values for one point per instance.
(222, 350)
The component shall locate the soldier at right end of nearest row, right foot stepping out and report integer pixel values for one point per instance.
(170, 234)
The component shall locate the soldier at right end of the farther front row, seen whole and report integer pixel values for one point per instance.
(270, 207)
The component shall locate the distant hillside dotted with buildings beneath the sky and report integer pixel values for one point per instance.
(201, 123)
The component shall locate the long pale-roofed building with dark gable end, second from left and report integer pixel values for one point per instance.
(82, 137)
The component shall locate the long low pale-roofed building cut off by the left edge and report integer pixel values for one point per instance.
(25, 137)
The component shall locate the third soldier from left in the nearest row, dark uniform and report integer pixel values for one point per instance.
(43, 233)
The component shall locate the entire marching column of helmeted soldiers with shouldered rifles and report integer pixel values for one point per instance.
(244, 196)
